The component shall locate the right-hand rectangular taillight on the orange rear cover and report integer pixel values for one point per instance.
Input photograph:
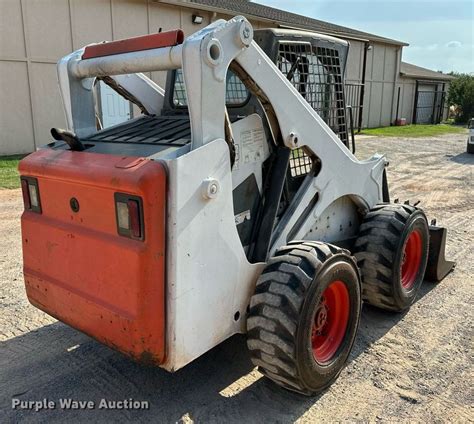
(129, 214)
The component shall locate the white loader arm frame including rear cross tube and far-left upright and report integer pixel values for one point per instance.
(205, 58)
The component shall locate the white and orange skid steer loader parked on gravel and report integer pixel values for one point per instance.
(233, 204)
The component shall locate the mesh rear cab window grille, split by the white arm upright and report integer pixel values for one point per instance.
(236, 92)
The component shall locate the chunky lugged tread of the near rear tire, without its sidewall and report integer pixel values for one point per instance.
(271, 329)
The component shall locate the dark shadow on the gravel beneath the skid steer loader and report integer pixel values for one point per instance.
(57, 362)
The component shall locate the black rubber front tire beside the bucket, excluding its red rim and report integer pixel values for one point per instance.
(379, 250)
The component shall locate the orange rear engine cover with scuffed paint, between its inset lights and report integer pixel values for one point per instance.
(78, 268)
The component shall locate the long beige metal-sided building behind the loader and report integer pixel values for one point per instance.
(34, 34)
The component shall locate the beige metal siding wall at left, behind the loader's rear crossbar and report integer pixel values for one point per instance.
(34, 34)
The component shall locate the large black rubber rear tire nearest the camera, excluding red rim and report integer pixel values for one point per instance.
(282, 312)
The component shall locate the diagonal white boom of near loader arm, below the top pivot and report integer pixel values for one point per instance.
(301, 126)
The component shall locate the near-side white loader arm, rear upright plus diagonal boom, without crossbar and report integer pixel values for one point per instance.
(293, 121)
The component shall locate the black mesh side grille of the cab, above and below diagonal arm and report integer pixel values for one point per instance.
(316, 72)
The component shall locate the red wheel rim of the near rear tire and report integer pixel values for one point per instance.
(330, 321)
